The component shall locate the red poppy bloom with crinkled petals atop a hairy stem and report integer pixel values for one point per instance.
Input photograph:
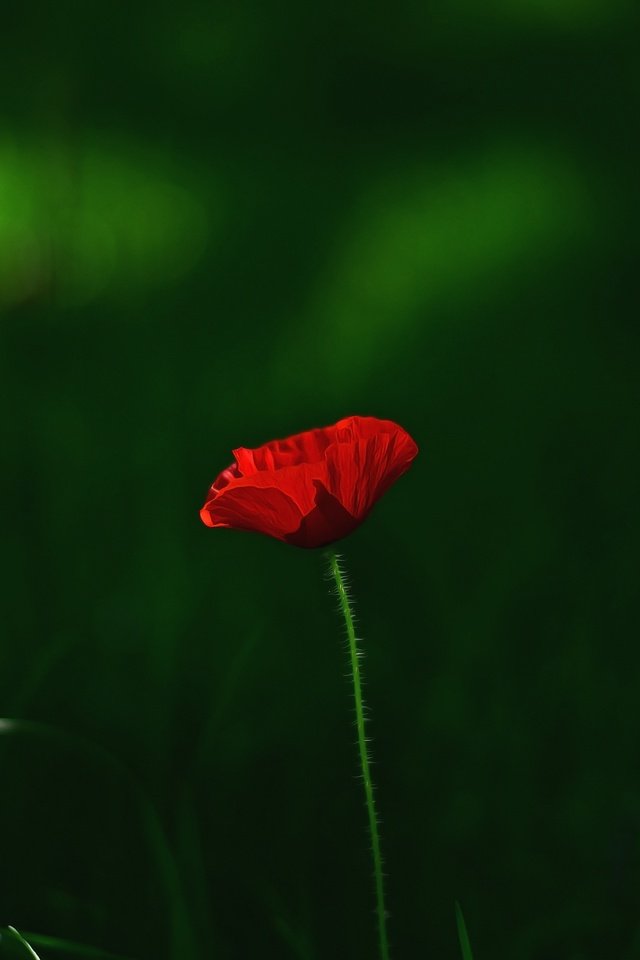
(314, 487)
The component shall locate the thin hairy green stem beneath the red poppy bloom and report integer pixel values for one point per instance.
(365, 762)
